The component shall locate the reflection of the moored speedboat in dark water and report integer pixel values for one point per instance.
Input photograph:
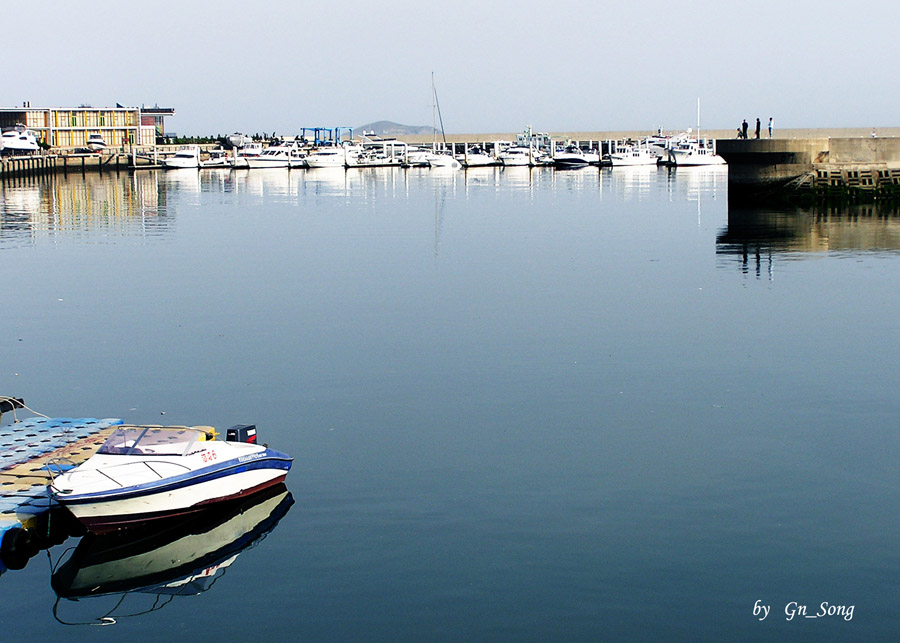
(184, 558)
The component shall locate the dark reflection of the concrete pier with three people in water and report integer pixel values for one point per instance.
(757, 234)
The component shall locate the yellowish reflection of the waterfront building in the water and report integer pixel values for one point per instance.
(35, 209)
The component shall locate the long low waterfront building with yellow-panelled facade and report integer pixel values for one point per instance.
(69, 127)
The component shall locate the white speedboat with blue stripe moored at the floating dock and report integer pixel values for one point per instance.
(146, 473)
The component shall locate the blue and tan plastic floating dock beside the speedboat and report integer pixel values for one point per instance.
(32, 451)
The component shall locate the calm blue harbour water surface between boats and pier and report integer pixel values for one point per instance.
(523, 405)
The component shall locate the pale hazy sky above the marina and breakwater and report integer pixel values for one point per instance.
(498, 66)
